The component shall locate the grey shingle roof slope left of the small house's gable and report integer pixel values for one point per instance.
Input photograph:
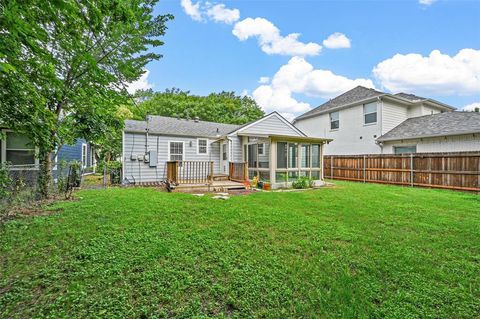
(173, 126)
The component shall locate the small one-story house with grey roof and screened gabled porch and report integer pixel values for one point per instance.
(149, 147)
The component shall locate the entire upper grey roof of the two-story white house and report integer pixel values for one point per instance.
(363, 94)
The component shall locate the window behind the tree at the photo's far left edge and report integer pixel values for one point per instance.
(19, 150)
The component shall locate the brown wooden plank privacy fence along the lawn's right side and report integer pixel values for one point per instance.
(459, 171)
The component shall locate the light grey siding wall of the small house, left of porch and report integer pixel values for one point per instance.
(139, 171)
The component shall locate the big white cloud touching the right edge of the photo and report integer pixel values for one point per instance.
(434, 74)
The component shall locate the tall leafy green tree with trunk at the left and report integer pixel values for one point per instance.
(64, 65)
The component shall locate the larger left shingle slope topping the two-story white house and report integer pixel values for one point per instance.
(356, 94)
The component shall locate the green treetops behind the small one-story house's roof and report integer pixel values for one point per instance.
(224, 107)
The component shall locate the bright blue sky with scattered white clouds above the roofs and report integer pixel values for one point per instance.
(426, 47)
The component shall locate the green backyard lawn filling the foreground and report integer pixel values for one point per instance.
(353, 251)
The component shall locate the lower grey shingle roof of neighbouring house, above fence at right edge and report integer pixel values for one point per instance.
(442, 124)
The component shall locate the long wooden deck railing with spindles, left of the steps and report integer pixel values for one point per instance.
(190, 172)
